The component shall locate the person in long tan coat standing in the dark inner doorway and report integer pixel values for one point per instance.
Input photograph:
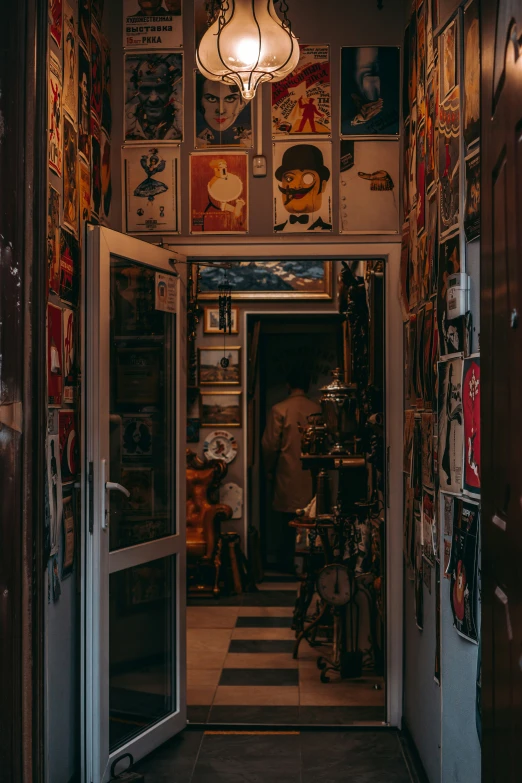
(282, 454)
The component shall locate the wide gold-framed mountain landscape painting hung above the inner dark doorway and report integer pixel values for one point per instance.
(282, 279)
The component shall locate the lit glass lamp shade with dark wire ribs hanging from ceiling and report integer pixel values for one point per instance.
(247, 45)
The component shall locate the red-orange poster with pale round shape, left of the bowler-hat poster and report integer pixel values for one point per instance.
(219, 193)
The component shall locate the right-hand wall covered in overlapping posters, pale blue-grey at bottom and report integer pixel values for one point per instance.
(440, 254)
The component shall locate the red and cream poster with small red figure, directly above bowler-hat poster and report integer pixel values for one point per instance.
(301, 103)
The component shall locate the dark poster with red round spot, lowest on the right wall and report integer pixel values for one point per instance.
(463, 568)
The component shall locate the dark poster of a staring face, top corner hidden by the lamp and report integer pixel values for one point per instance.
(223, 117)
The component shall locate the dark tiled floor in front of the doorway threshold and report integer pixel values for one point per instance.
(292, 757)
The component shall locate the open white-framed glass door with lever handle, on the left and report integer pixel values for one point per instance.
(134, 615)
